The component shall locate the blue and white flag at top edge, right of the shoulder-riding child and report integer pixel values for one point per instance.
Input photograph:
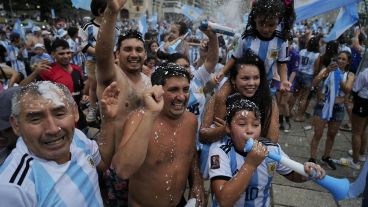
(305, 9)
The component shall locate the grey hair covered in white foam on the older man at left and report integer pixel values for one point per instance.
(40, 88)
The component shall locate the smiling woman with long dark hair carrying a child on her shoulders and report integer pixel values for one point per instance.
(249, 79)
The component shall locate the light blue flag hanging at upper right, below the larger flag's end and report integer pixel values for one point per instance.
(347, 17)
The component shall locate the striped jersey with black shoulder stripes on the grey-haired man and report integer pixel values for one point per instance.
(27, 180)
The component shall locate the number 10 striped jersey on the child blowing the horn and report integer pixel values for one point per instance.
(225, 163)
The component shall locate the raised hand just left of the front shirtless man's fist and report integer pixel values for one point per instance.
(109, 102)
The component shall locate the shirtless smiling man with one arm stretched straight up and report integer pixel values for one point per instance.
(130, 55)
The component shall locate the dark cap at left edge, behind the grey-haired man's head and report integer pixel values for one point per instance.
(5, 109)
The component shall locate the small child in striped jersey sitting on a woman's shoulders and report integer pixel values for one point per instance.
(268, 29)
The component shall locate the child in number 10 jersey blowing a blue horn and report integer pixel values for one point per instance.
(244, 179)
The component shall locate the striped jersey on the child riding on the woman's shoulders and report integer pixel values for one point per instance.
(272, 50)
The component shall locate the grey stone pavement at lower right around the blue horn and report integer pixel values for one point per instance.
(296, 144)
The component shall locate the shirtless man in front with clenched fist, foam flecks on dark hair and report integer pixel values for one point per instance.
(157, 152)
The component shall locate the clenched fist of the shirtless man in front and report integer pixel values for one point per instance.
(153, 100)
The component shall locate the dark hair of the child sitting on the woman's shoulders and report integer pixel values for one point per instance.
(269, 9)
